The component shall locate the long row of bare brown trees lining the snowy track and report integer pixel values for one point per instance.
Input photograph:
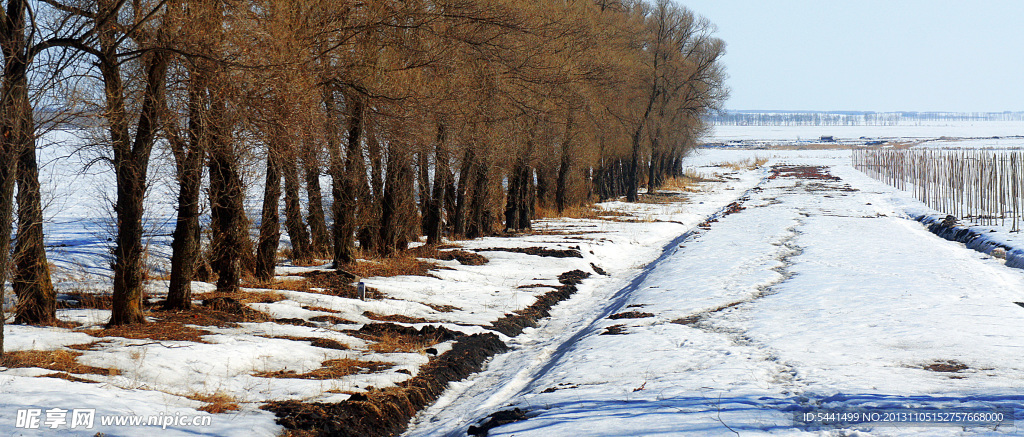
(436, 118)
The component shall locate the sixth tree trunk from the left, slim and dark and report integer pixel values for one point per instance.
(270, 228)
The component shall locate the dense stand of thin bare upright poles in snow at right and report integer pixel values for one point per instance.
(979, 186)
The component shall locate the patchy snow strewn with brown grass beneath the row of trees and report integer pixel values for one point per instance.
(282, 355)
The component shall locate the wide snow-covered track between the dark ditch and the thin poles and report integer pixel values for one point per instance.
(820, 293)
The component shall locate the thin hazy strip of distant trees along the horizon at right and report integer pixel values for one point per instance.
(772, 118)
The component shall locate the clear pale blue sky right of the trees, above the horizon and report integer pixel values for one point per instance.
(872, 55)
